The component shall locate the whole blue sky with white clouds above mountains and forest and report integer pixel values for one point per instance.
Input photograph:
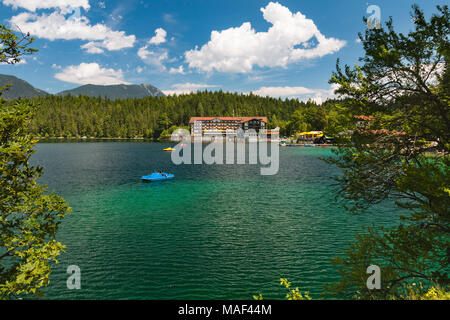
(286, 48)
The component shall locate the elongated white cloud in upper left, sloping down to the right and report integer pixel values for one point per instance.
(55, 26)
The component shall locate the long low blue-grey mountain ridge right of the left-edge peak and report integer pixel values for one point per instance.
(120, 91)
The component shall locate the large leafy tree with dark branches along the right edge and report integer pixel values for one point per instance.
(402, 154)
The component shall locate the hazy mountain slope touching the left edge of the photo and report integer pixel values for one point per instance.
(19, 88)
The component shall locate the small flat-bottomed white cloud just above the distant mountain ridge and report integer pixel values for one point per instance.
(91, 73)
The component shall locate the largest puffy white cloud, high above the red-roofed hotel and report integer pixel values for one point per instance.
(291, 38)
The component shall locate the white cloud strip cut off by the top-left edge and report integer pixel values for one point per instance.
(33, 5)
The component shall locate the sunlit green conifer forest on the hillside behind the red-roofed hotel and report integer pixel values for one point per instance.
(152, 117)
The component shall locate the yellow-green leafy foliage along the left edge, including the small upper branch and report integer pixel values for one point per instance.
(29, 218)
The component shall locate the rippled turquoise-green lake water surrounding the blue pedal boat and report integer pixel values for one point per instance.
(214, 232)
